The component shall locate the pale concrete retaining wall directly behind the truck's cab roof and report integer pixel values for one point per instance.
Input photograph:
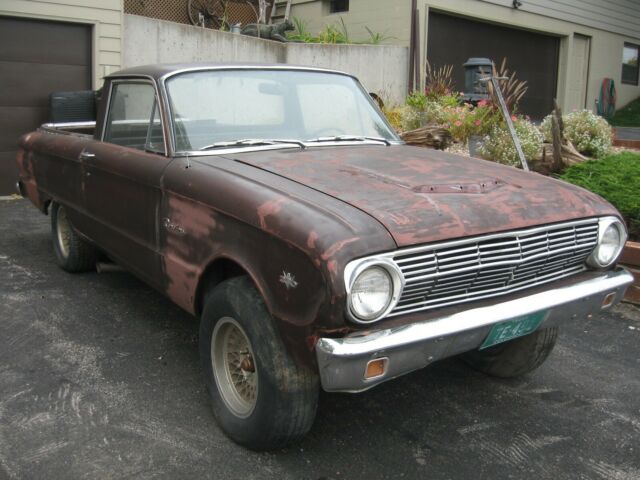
(382, 69)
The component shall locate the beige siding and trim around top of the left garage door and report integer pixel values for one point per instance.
(104, 15)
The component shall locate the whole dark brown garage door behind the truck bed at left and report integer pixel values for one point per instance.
(36, 58)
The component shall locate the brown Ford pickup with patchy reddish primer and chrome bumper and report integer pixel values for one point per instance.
(276, 204)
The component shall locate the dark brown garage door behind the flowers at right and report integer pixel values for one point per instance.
(533, 56)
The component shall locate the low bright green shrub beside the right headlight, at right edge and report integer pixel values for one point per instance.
(615, 178)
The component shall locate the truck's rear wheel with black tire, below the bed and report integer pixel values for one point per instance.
(73, 253)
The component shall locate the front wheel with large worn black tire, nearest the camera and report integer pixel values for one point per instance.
(284, 406)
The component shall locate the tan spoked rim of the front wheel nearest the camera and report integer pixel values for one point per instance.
(234, 367)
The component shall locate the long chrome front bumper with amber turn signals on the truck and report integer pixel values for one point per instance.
(342, 361)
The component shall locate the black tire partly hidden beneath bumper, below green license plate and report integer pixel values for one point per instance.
(515, 357)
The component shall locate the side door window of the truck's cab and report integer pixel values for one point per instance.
(134, 119)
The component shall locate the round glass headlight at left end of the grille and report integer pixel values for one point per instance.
(371, 293)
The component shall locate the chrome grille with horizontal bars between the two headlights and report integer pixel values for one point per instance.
(481, 267)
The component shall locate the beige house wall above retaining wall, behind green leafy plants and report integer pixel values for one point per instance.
(389, 18)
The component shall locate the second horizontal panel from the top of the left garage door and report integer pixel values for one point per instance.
(29, 84)
